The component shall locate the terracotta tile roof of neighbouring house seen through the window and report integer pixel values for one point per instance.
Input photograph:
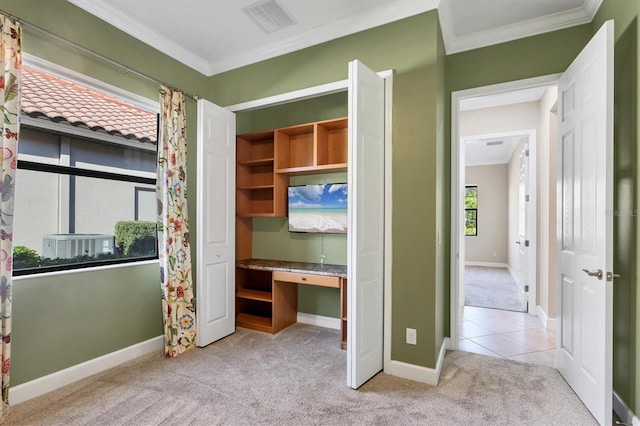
(63, 101)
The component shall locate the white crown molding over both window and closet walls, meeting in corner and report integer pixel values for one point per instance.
(375, 17)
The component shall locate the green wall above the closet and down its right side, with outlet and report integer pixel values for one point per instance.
(410, 48)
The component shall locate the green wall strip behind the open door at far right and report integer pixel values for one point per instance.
(626, 298)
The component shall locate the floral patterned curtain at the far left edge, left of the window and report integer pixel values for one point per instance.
(11, 51)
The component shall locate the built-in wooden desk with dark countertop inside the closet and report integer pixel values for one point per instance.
(267, 292)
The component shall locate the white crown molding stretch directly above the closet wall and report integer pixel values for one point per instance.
(372, 18)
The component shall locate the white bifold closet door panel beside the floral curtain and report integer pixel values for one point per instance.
(215, 282)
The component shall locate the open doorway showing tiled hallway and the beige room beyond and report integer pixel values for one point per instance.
(502, 283)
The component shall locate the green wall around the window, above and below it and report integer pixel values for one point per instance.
(64, 319)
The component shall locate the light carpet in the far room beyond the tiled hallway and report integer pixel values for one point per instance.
(488, 287)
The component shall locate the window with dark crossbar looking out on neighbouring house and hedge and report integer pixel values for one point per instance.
(86, 178)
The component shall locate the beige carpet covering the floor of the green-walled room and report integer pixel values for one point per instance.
(298, 378)
